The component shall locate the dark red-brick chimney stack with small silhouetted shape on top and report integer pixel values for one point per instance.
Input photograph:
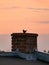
(24, 42)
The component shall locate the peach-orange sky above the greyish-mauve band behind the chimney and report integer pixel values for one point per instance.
(16, 15)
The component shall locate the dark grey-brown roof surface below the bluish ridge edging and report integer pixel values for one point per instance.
(17, 61)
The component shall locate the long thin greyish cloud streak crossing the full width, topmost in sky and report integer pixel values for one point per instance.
(35, 9)
